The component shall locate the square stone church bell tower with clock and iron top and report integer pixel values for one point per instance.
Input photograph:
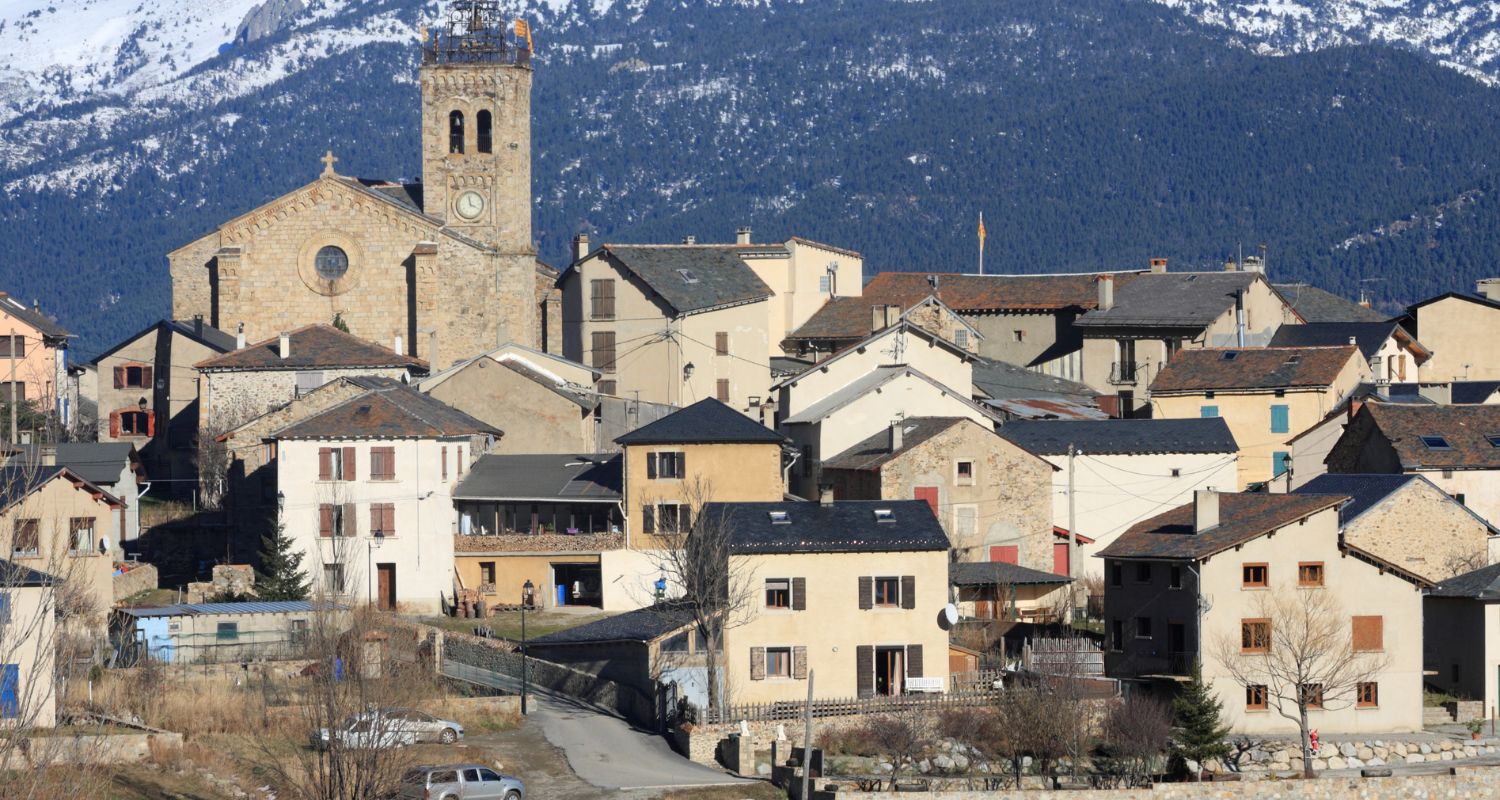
(476, 125)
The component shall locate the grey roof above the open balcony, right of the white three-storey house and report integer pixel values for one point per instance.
(544, 478)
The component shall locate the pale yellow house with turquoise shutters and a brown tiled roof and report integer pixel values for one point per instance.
(1267, 395)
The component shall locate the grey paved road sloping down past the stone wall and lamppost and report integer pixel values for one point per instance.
(601, 748)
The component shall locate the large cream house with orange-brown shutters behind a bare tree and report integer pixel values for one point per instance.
(1217, 565)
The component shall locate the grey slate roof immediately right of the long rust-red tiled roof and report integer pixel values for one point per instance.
(1171, 299)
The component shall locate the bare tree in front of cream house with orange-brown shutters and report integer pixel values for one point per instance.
(1300, 655)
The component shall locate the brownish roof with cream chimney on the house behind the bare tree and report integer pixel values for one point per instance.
(1243, 517)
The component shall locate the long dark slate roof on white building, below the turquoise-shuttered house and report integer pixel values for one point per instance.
(1123, 436)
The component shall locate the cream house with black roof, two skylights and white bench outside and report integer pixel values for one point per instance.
(848, 589)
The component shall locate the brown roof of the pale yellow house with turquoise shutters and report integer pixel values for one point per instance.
(1228, 368)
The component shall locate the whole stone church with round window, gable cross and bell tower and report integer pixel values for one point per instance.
(443, 269)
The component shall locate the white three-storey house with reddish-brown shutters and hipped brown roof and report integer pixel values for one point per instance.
(367, 492)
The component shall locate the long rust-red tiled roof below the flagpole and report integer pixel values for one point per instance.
(994, 292)
